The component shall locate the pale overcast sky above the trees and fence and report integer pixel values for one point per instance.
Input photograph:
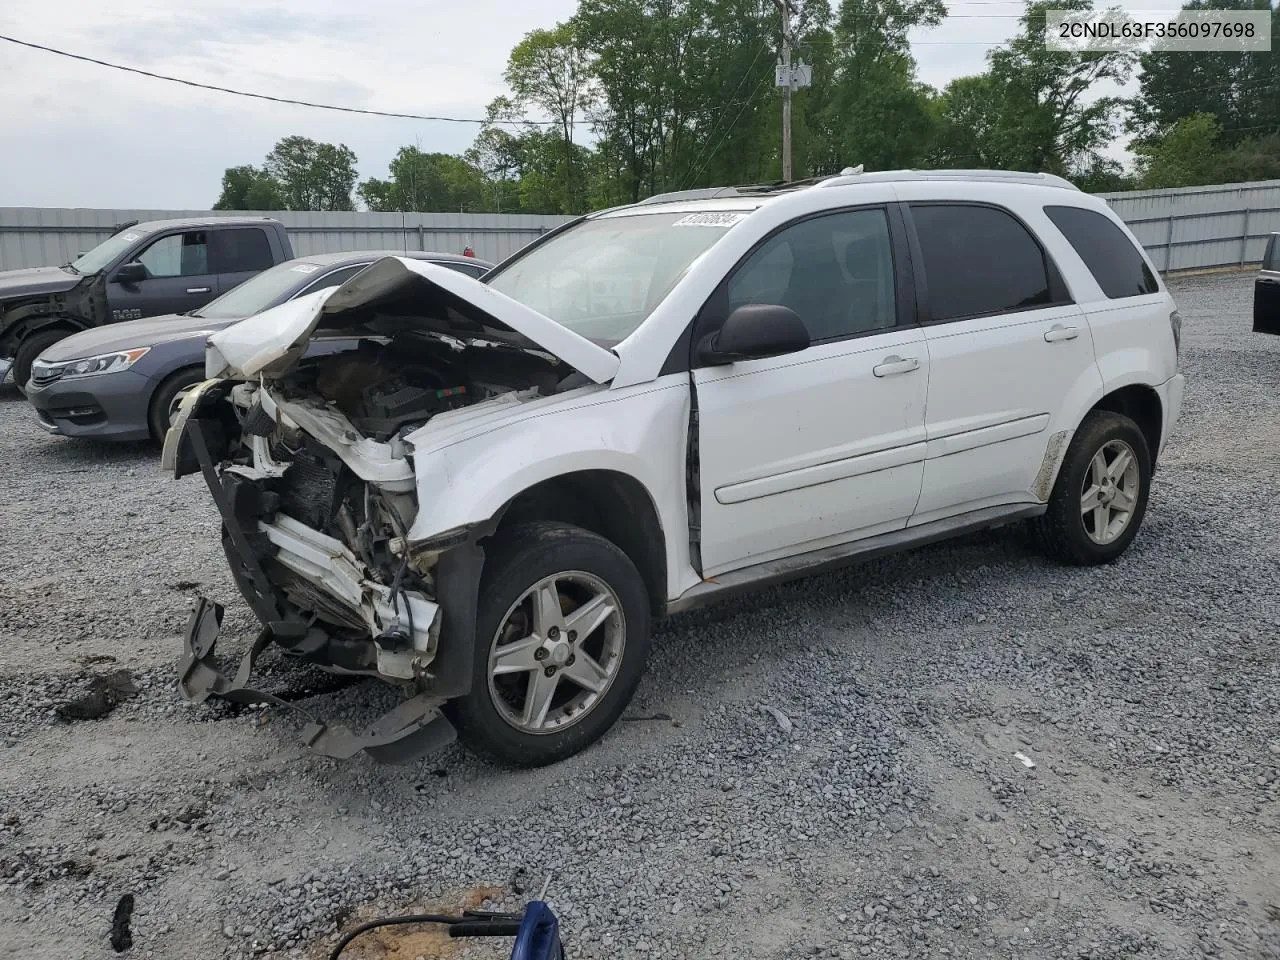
(80, 135)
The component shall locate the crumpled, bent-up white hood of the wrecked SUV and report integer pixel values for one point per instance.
(392, 296)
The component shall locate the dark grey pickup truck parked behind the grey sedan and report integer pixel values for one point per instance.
(145, 269)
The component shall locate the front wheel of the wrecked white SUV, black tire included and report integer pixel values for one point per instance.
(578, 568)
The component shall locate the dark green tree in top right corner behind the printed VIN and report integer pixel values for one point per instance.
(1240, 90)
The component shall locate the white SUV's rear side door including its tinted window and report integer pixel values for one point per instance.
(1007, 346)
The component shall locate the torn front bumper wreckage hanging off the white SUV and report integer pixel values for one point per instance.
(412, 729)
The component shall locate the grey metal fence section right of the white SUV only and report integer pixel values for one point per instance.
(1196, 228)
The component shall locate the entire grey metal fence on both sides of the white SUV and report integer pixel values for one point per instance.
(1183, 230)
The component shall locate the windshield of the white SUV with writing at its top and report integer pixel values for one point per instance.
(605, 277)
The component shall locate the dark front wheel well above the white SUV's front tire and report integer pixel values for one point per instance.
(607, 502)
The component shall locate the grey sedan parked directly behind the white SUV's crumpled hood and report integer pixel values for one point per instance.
(124, 382)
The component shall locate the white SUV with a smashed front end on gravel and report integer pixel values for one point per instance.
(656, 406)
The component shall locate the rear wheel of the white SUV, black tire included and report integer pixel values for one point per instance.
(1064, 532)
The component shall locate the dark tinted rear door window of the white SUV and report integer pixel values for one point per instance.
(980, 262)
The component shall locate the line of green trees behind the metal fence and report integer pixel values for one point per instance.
(633, 98)
